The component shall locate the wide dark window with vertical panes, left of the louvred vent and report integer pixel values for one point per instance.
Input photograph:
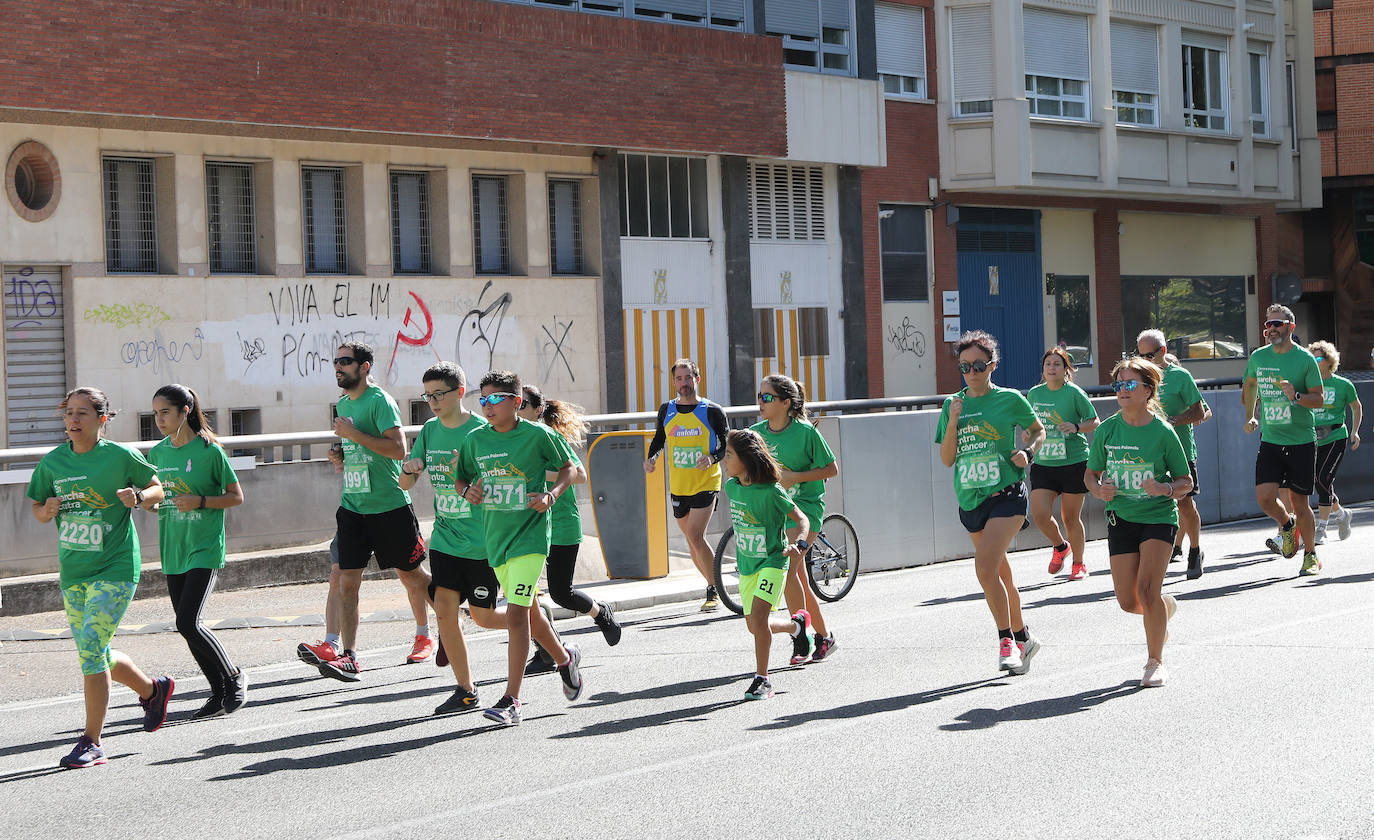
(663, 197)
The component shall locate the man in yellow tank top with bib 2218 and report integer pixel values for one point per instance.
(692, 430)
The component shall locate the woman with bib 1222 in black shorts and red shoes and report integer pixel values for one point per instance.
(1068, 416)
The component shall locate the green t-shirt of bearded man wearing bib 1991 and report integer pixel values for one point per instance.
(372, 483)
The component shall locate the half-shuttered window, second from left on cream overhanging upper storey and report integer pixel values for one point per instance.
(1057, 64)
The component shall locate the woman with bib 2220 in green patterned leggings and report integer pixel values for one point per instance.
(90, 486)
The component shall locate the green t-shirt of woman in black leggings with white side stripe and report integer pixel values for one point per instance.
(193, 540)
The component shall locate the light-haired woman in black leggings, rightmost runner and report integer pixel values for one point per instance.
(1332, 434)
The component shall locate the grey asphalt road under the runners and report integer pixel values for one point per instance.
(1265, 729)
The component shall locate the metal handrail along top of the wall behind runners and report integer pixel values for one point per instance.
(296, 446)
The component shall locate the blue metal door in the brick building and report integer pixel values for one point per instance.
(1001, 288)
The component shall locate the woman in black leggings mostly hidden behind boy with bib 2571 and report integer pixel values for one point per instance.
(567, 420)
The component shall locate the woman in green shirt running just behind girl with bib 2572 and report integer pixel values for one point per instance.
(806, 463)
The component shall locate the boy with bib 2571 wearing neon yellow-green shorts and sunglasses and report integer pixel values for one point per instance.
(504, 468)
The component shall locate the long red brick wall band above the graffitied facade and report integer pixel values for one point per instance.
(454, 68)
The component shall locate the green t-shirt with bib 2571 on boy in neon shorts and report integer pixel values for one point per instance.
(513, 468)
